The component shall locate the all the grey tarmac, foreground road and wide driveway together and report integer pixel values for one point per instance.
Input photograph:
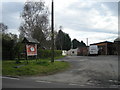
(85, 71)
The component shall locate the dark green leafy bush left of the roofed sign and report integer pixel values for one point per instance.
(8, 43)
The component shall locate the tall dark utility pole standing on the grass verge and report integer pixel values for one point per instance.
(52, 27)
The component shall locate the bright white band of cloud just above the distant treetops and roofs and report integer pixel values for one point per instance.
(93, 37)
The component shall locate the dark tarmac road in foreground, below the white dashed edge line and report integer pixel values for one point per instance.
(28, 83)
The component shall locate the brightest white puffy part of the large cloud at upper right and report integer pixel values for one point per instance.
(106, 22)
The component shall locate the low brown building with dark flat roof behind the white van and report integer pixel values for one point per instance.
(105, 48)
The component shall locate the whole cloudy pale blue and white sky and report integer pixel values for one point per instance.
(95, 20)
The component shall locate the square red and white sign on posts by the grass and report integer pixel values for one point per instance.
(31, 50)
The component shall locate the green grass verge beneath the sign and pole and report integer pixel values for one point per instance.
(39, 67)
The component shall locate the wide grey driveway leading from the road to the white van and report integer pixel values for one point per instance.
(100, 71)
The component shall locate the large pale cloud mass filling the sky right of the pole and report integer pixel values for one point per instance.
(91, 19)
